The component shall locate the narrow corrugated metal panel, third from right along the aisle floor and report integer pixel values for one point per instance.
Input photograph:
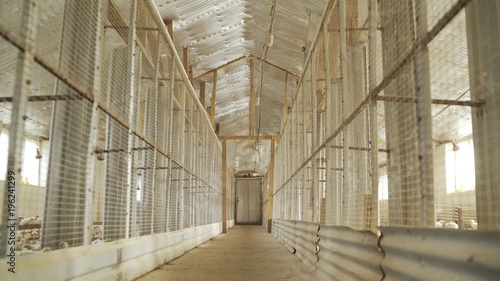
(306, 243)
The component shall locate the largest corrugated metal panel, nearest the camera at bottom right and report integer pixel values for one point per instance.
(439, 254)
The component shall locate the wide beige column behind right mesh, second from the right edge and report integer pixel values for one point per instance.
(397, 20)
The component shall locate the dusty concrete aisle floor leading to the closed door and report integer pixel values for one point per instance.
(244, 253)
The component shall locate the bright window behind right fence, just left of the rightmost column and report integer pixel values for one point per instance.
(460, 169)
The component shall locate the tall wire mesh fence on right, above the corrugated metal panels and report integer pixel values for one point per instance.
(394, 121)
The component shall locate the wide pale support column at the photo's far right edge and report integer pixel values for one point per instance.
(483, 37)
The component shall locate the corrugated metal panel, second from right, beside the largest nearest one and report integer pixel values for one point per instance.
(347, 254)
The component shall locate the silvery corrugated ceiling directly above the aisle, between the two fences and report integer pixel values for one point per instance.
(219, 32)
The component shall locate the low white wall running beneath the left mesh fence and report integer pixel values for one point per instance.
(124, 259)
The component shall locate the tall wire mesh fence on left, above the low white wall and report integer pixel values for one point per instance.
(104, 137)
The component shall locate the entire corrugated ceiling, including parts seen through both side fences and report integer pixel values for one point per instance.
(220, 32)
